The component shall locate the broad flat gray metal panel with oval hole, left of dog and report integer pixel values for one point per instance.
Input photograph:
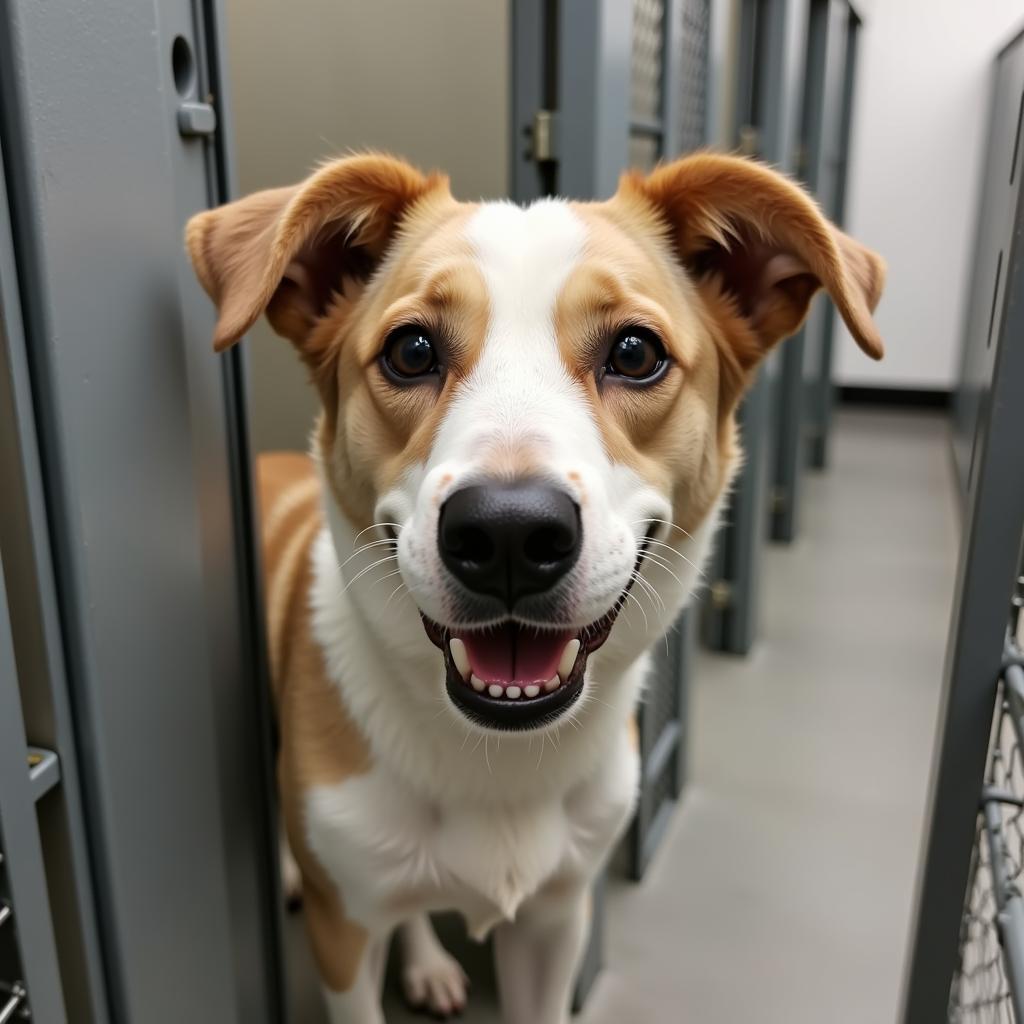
(135, 434)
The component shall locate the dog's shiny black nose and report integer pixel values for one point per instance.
(509, 540)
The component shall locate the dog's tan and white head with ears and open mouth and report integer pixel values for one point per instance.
(530, 410)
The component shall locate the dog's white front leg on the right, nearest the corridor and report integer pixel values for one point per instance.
(537, 957)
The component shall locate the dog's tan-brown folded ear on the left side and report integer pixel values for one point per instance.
(286, 251)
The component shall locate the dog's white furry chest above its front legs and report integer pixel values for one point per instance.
(393, 854)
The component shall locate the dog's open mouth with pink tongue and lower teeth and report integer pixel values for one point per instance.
(515, 676)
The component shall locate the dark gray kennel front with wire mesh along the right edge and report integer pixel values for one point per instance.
(966, 957)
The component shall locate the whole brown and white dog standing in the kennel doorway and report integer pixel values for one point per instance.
(527, 434)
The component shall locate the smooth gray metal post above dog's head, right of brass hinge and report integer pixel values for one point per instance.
(595, 54)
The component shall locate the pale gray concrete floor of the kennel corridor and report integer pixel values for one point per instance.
(783, 890)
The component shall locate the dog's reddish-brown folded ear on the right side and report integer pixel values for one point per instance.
(758, 241)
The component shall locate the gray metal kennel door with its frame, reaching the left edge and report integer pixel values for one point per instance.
(127, 527)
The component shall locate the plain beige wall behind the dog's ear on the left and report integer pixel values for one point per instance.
(425, 79)
